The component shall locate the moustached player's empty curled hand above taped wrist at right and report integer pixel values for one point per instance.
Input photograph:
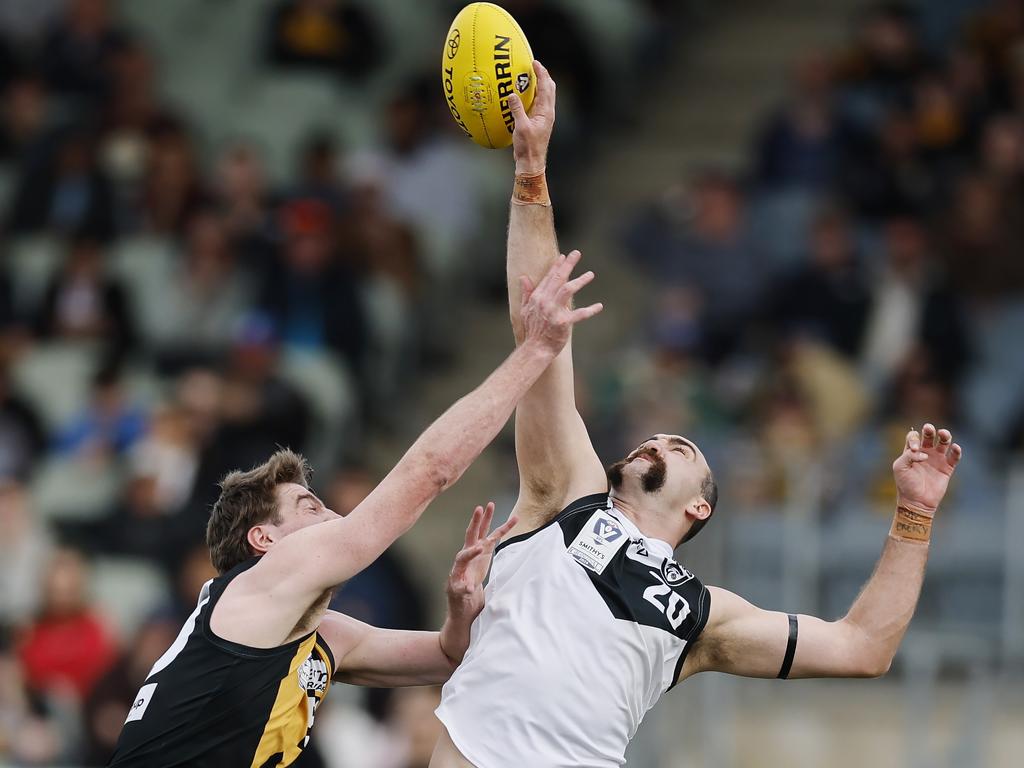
(924, 470)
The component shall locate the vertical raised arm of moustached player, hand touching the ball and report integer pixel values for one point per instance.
(557, 460)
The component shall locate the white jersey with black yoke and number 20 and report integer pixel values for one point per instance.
(587, 624)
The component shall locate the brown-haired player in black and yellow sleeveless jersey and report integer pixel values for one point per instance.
(242, 682)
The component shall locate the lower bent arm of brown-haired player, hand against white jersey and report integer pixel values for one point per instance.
(367, 656)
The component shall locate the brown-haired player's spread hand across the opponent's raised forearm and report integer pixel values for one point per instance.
(547, 313)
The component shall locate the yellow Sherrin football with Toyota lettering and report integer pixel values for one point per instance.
(486, 59)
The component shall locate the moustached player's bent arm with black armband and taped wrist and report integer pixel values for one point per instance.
(745, 641)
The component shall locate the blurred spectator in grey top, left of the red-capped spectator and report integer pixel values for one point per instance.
(193, 320)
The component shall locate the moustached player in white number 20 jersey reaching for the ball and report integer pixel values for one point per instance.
(589, 619)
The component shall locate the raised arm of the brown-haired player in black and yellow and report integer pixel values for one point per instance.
(300, 568)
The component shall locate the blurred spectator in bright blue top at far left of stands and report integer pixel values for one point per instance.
(110, 425)
